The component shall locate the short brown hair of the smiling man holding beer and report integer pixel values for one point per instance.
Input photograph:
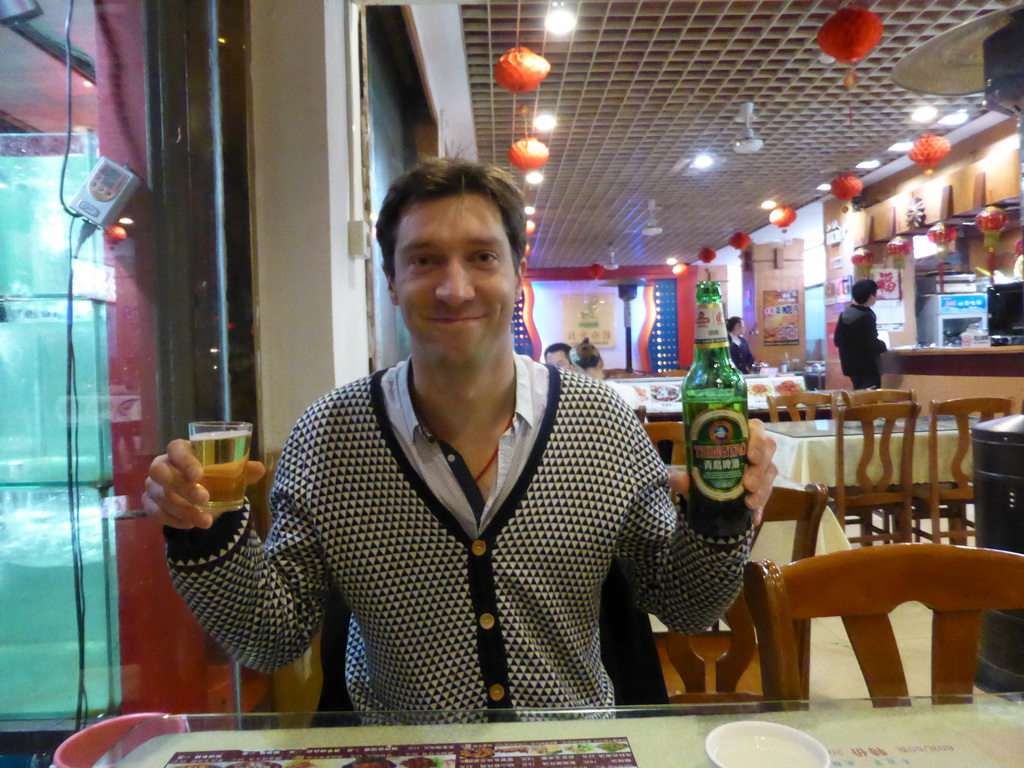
(446, 178)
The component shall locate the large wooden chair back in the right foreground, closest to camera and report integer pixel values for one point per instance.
(864, 586)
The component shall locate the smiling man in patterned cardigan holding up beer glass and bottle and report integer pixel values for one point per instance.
(467, 503)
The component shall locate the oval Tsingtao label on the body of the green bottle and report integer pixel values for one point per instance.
(719, 449)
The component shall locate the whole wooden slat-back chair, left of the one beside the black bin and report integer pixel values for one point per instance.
(861, 502)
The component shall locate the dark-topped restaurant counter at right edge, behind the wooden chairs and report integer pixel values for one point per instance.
(944, 373)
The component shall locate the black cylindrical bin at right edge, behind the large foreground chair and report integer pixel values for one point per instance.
(999, 513)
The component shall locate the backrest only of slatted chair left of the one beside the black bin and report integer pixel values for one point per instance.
(868, 491)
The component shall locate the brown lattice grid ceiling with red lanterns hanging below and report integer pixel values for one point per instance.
(639, 89)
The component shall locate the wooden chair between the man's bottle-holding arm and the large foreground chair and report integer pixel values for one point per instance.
(732, 653)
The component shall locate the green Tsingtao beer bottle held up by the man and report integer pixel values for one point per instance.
(715, 414)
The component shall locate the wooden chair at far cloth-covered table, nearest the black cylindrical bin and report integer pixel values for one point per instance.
(948, 500)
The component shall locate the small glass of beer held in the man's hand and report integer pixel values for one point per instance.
(223, 449)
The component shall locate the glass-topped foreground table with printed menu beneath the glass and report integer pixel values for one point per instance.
(987, 734)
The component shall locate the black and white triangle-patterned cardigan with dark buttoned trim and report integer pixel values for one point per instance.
(441, 620)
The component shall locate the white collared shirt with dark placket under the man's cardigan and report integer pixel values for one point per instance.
(435, 465)
